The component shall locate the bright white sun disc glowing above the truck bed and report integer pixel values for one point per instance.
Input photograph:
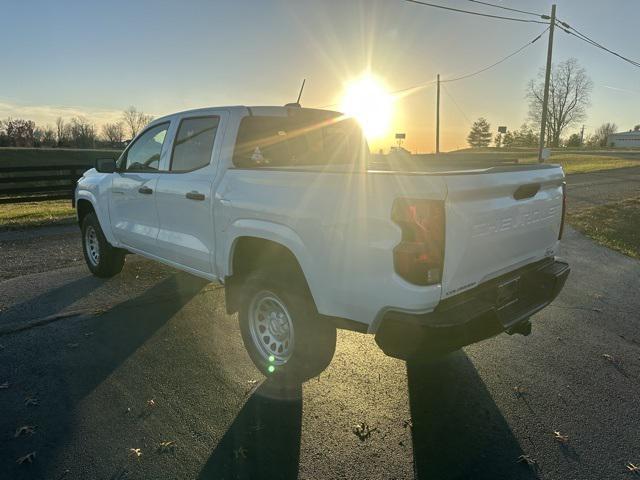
(368, 101)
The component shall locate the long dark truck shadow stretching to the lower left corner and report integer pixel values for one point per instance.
(115, 337)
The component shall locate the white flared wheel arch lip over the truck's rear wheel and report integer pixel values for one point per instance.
(277, 233)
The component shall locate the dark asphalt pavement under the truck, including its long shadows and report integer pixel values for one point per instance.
(150, 356)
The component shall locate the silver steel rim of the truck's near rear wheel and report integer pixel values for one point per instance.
(271, 328)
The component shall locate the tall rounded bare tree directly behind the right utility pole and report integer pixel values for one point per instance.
(569, 96)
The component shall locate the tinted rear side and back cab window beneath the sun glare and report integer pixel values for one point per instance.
(302, 138)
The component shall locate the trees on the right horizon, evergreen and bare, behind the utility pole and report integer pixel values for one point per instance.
(569, 98)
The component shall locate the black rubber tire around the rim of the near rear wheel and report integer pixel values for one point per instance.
(314, 338)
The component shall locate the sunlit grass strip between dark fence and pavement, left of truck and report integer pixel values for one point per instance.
(34, 214)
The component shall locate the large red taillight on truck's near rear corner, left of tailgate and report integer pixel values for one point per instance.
(419, 256)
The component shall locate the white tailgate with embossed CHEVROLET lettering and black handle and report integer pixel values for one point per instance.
(497, 221)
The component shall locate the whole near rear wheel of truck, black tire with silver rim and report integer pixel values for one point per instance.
(285, 337)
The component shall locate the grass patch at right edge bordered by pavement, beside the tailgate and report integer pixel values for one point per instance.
(614, 225)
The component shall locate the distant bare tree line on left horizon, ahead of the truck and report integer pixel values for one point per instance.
(76, 132)
